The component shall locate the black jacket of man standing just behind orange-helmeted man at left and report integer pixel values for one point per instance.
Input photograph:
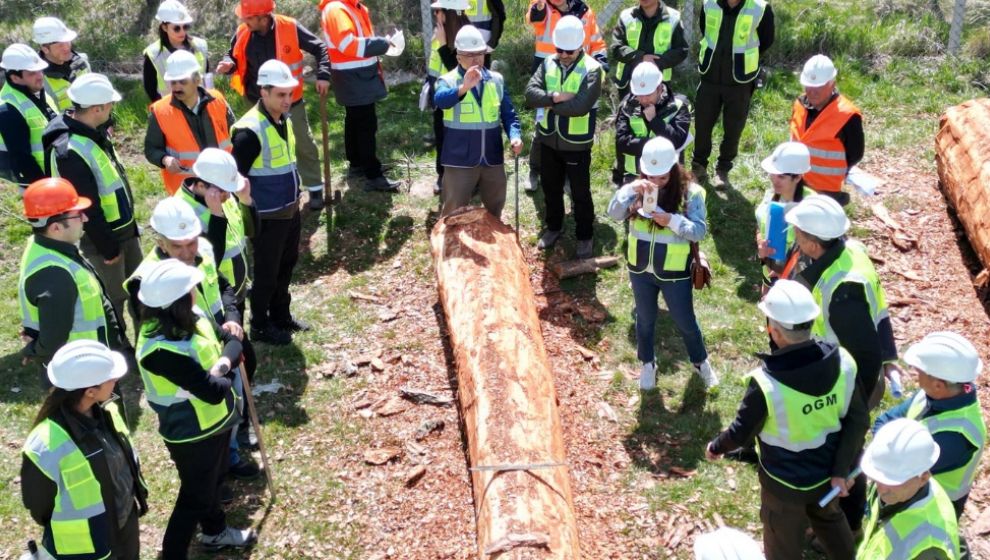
(75, 169)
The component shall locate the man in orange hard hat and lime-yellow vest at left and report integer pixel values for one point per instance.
(55, 278)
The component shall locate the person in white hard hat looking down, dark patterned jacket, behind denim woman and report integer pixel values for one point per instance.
(651, 109)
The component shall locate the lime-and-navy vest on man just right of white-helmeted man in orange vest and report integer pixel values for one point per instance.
(274, 181)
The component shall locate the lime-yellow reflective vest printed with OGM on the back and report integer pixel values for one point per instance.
(800, 422)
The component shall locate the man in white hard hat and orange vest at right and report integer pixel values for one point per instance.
(830, 125)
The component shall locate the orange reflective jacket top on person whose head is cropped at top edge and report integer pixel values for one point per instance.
(346, 28)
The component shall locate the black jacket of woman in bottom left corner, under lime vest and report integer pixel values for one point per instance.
(90, 435)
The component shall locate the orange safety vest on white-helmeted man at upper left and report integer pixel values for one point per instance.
(179, 140)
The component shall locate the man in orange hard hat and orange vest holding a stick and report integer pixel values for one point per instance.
(264, 35)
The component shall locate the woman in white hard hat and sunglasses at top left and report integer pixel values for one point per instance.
(174, 21)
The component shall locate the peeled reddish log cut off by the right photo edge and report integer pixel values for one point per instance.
(962, 152)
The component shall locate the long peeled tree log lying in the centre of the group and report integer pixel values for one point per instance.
(522, 493)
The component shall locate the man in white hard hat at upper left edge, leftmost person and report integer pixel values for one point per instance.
(25, 110)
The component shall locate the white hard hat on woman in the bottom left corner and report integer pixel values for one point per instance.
(81, 364)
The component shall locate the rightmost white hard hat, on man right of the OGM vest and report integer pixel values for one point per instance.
(947, 356)
